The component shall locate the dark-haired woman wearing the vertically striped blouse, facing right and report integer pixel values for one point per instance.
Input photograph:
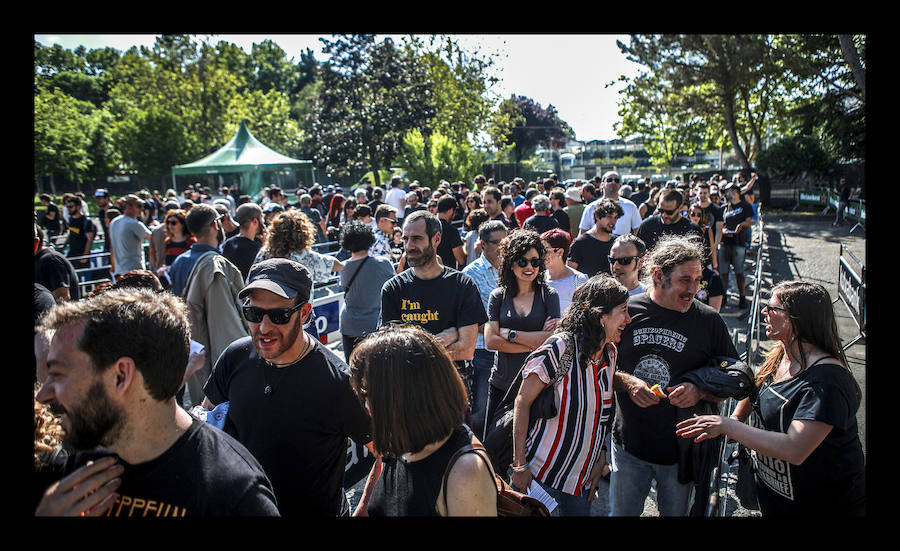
(566, 454)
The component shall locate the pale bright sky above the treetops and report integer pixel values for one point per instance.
(568, 71)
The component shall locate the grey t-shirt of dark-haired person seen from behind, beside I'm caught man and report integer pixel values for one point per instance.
(362, 303)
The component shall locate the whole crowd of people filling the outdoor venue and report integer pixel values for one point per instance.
(461, 304)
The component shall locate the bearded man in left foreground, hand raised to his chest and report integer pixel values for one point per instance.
(114, 364)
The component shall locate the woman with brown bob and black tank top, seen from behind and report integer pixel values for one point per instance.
(417, 402)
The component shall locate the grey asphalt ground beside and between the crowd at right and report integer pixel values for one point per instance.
(794, 246)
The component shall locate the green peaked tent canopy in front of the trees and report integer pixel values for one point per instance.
(247, 156)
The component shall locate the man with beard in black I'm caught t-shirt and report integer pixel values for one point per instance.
(443, 301)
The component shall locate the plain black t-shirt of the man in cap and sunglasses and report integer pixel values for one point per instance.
(298, 432)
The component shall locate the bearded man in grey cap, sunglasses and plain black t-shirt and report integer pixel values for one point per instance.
(290, 399)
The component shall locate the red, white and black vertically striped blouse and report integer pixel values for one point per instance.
(563, 450)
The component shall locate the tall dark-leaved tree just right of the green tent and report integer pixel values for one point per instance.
(372, 94)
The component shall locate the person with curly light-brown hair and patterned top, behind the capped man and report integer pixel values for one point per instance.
(291, 235)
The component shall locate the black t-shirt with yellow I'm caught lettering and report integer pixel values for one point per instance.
(449, 300)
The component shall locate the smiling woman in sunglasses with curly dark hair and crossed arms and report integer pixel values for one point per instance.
(522, 312)
